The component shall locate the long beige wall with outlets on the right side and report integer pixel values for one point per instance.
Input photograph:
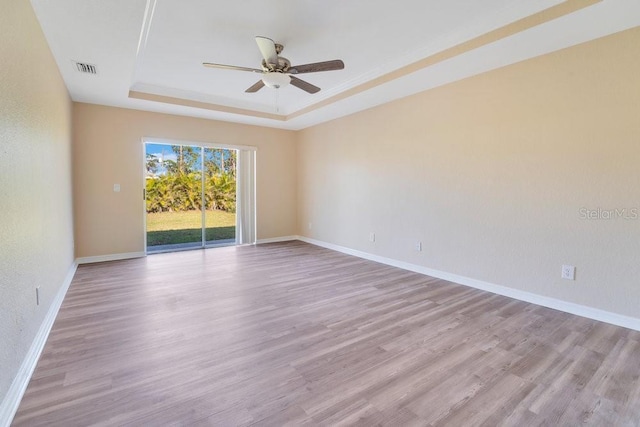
(490, 174)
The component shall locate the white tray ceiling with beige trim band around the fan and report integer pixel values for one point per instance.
(157, 47)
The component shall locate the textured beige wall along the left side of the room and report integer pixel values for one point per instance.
(36, 232)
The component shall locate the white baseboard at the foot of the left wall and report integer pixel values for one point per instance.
(11, 401)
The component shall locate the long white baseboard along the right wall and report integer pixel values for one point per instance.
(568, 307)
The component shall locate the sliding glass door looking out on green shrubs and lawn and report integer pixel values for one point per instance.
(190, 196)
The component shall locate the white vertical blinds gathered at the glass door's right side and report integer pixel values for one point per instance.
(246, 197)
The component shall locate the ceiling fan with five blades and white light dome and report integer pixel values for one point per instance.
(277, 71)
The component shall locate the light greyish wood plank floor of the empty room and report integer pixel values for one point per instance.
(290, 333)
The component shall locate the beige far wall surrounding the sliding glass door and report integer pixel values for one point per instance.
(108, 150)
